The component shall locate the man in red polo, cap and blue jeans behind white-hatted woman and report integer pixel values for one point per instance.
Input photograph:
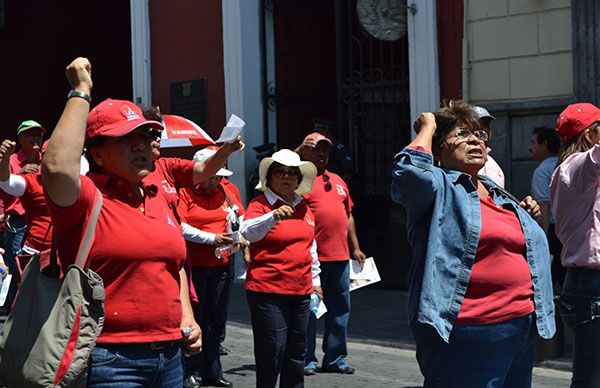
(334, 230)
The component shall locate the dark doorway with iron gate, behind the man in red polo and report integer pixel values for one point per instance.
(328, 65)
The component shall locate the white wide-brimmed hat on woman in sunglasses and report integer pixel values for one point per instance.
(290, 159)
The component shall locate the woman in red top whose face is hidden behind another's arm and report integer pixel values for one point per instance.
(212, 209)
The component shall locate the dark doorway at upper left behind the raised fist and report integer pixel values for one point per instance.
(40, 38)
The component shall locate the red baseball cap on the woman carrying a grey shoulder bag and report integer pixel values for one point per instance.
(116, 118)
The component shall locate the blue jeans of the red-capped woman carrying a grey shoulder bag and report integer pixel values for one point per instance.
(135, 366)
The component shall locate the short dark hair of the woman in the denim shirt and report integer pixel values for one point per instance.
(451, 114)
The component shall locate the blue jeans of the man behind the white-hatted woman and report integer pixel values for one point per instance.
(335, 281)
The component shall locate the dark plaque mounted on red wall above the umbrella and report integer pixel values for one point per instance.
(188, 99)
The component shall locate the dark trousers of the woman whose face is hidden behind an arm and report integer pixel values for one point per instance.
(212, 288)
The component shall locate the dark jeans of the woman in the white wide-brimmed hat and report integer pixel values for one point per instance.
(279, 330)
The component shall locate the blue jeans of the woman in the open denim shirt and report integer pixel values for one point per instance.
(478, 356)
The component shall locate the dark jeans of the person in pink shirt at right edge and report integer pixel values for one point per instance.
(580, 310)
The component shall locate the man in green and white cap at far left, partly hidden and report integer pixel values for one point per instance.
(25, 161)
